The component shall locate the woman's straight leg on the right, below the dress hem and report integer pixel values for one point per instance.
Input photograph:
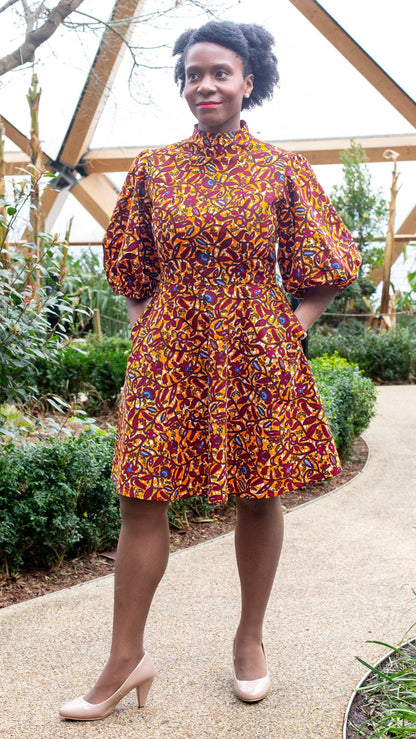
(258, 543)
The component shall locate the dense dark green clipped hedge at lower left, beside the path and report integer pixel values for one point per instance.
(56, 498)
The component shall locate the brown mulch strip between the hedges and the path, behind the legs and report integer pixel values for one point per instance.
(33, 583)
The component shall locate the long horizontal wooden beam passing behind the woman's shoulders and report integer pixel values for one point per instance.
(317, 151)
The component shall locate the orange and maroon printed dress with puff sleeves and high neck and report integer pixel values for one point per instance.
(219, 399)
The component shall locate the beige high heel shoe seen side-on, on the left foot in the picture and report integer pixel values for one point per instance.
(141, 678)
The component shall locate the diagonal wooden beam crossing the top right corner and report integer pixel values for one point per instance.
(359, 58)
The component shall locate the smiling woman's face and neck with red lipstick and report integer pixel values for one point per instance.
(215, 86)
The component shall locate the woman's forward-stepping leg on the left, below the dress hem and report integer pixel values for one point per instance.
(142, 555)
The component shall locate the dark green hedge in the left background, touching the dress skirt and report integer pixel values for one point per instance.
(94, 367)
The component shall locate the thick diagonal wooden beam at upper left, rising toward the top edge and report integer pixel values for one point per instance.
(99, 80)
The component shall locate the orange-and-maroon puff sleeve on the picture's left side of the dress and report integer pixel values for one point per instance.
(131, 259)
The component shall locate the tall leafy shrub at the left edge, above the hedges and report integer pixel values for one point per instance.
(34, 313)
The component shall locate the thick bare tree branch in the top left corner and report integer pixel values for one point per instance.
(35, 38)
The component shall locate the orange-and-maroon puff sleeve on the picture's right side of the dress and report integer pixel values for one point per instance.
(315, 248)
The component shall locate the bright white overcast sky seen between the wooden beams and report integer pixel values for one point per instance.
(320, 93)
